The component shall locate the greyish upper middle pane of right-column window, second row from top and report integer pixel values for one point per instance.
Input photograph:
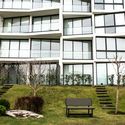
(109, 20)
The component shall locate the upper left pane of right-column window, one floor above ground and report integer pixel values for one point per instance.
(100, 43)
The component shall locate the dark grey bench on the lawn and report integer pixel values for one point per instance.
(79, 104)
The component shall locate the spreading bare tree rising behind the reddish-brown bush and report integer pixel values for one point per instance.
(36, 77)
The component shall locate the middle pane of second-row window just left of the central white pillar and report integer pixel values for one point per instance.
(45, 23)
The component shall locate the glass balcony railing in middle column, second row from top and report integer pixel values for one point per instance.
(77, 30)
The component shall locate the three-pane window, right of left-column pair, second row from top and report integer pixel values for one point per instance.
(48, 23)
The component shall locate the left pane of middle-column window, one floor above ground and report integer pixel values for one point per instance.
(68, 49)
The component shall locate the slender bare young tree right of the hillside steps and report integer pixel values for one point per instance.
(119, 71)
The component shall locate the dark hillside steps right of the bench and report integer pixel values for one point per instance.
(104, 98)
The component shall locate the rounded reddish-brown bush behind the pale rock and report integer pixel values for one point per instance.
(34, 103)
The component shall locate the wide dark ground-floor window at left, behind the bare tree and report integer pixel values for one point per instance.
(18, 73)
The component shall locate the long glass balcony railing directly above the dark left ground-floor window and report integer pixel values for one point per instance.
(29, 54)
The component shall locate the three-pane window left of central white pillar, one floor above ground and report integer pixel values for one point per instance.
(45, 48)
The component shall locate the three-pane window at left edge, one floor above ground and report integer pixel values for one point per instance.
(14, 48)
